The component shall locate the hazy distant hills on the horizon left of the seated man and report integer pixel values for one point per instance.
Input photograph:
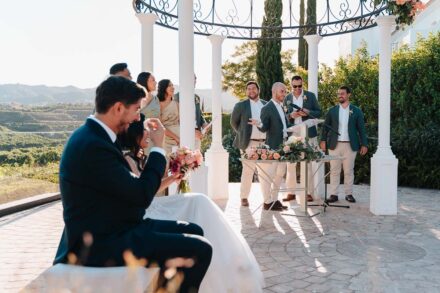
(44, 95)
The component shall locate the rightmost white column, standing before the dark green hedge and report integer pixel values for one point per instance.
(383, 192)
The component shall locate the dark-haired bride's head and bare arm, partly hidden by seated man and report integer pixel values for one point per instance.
(135, 139)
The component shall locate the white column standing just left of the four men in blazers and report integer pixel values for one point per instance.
(217, 157)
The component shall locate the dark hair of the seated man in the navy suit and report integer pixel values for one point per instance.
(117, 89)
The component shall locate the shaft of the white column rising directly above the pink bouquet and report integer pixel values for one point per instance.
(186, 73)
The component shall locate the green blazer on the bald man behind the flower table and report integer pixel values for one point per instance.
(272, 125)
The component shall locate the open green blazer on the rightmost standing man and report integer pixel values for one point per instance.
(356, 128)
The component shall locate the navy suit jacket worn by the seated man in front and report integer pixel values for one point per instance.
(101, 197)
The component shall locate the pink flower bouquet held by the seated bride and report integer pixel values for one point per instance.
(182, 161)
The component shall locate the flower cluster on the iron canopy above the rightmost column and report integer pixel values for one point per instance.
(404, 10)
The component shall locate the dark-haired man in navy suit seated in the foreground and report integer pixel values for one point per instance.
(104, 204)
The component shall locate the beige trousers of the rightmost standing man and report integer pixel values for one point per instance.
(342, 149)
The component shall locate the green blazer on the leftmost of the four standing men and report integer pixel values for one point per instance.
(239, 122)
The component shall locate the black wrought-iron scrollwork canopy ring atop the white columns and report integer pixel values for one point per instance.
(241, 19)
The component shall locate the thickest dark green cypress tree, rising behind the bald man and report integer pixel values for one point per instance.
(268, 64)
